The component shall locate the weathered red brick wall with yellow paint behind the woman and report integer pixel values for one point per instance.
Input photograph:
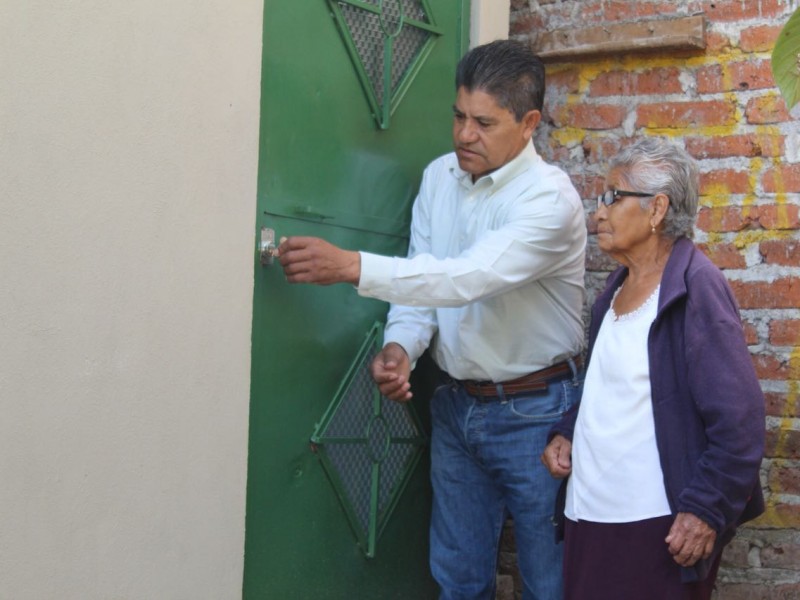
(721, 104)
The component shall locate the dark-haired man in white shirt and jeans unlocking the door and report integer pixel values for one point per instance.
(493, 284)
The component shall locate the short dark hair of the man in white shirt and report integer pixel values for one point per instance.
(506, 70)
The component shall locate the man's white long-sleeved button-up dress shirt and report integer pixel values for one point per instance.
(495, 268)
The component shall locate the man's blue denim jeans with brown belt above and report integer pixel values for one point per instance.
(485, 466)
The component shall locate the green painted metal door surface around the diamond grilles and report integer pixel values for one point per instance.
(325, 169)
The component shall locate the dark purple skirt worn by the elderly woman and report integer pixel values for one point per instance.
(626, 561)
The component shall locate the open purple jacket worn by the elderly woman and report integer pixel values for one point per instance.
(708, 406)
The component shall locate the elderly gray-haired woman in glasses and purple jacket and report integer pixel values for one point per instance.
(663, 451)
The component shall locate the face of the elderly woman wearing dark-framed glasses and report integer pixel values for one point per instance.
(625, 225)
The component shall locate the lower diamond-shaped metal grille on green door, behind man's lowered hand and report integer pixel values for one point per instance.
(368, 446)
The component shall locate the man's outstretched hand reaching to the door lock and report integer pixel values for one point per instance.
(313, 260)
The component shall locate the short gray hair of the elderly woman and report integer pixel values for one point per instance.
(656, 166)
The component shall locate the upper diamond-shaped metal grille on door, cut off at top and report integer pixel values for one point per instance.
(388, 41)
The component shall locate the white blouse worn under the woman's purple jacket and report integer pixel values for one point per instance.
(616, 473)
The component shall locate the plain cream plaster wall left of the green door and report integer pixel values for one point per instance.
(128, 159)
